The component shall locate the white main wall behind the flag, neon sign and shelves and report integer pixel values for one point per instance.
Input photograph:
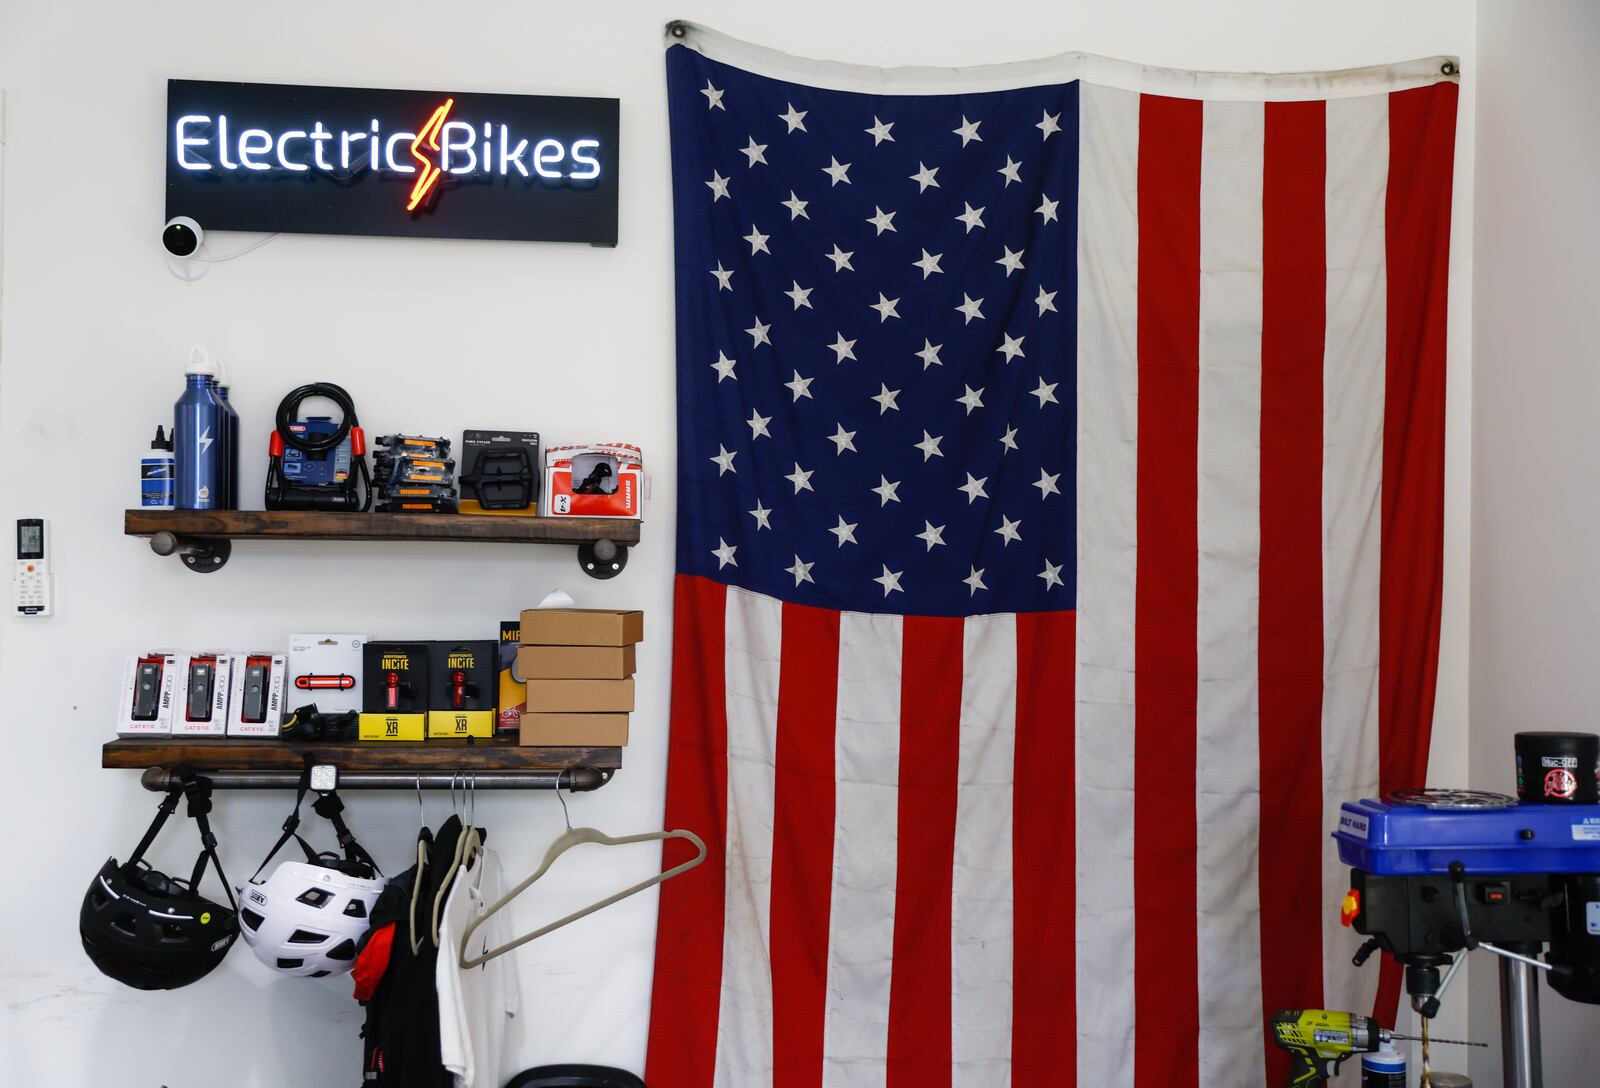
(572, 342)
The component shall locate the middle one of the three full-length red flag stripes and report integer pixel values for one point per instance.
(1294, 324)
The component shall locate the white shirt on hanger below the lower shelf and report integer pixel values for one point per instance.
(474, 1004)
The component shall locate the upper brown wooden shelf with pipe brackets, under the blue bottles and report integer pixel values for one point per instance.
(204, 538)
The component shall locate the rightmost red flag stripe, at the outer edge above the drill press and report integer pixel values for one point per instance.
(1422, 161)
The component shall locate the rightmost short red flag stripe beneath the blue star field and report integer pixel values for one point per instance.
(1044, 974)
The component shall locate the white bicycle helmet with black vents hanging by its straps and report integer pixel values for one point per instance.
(310, 916)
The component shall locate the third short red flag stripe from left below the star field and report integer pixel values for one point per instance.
(919, 1046)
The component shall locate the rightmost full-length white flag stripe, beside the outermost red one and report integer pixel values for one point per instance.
(1351, 492)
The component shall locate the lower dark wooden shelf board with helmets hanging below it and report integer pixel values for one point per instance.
(241, 754)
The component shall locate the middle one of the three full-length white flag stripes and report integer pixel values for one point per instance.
(1228, 796)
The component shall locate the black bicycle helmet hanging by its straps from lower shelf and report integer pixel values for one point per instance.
(150, 930)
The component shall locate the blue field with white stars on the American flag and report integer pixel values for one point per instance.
(876, 318)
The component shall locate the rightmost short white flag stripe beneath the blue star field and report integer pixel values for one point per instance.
(982, 913)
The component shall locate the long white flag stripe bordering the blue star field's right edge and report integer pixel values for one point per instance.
(1108, 556)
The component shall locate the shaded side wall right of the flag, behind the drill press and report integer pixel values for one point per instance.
(1535, 513)
